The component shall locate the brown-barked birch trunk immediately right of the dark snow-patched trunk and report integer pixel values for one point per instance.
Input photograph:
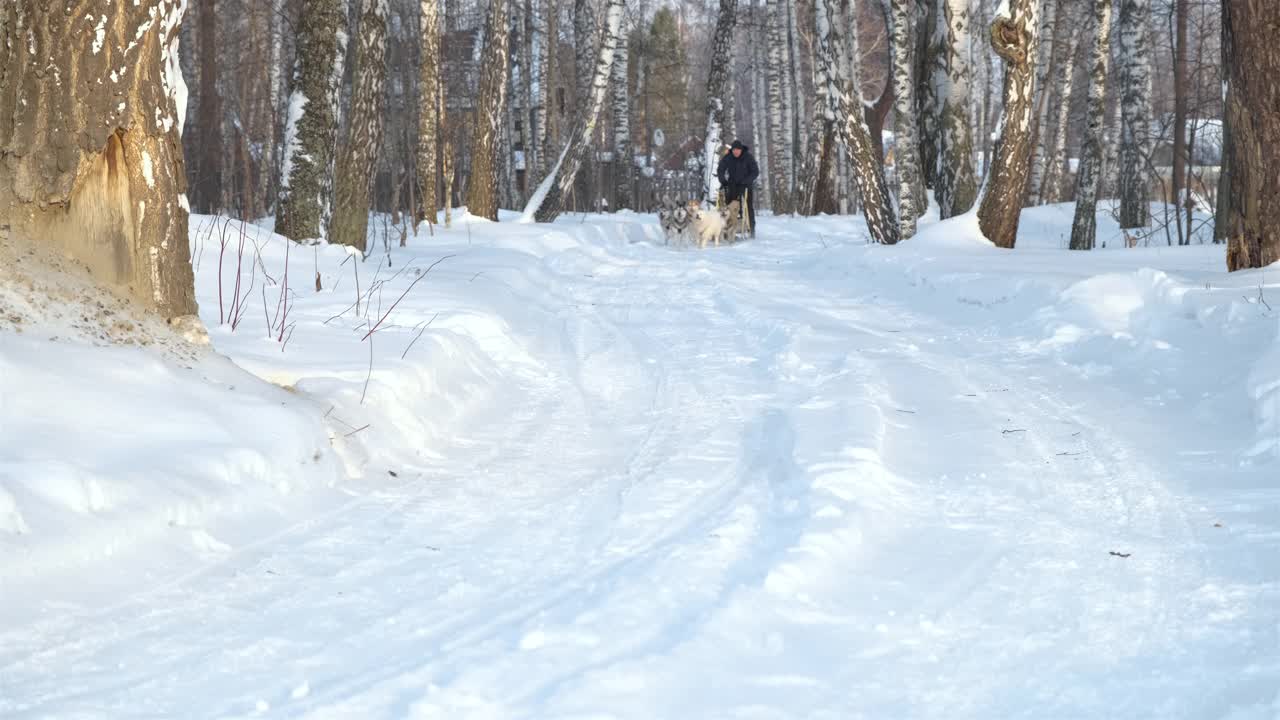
(359, 157)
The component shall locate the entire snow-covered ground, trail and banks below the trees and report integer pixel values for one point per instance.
(574, 473)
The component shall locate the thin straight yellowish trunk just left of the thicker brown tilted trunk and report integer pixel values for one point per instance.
(429, 111)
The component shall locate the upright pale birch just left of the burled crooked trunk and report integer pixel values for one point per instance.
(958, 183)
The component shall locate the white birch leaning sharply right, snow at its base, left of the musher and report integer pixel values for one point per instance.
(545, 206)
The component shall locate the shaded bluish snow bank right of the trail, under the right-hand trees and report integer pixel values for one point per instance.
(1156, 322)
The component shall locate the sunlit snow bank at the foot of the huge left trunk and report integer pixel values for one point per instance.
(121, 443)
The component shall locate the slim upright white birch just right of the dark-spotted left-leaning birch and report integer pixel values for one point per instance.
(907, 160)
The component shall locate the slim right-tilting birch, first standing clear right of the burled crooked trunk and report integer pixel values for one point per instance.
(1085, 227)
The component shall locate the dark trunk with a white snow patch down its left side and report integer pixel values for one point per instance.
(312, 126)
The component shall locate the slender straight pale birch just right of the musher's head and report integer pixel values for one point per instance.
(781, 115)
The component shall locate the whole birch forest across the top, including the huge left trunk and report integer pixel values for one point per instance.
(322, 112)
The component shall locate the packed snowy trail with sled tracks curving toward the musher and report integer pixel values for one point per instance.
(742, 484)
